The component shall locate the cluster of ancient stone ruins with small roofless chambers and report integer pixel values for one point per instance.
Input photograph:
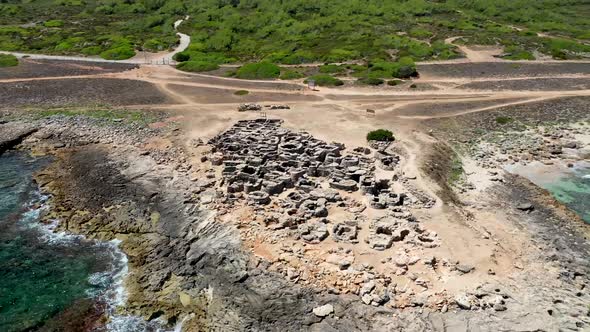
(302, 177)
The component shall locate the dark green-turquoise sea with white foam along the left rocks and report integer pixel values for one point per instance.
(48, 282)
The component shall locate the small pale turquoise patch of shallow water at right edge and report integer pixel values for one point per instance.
(573, 189)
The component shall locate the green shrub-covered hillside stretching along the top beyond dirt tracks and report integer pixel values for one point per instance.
(296, 31)
